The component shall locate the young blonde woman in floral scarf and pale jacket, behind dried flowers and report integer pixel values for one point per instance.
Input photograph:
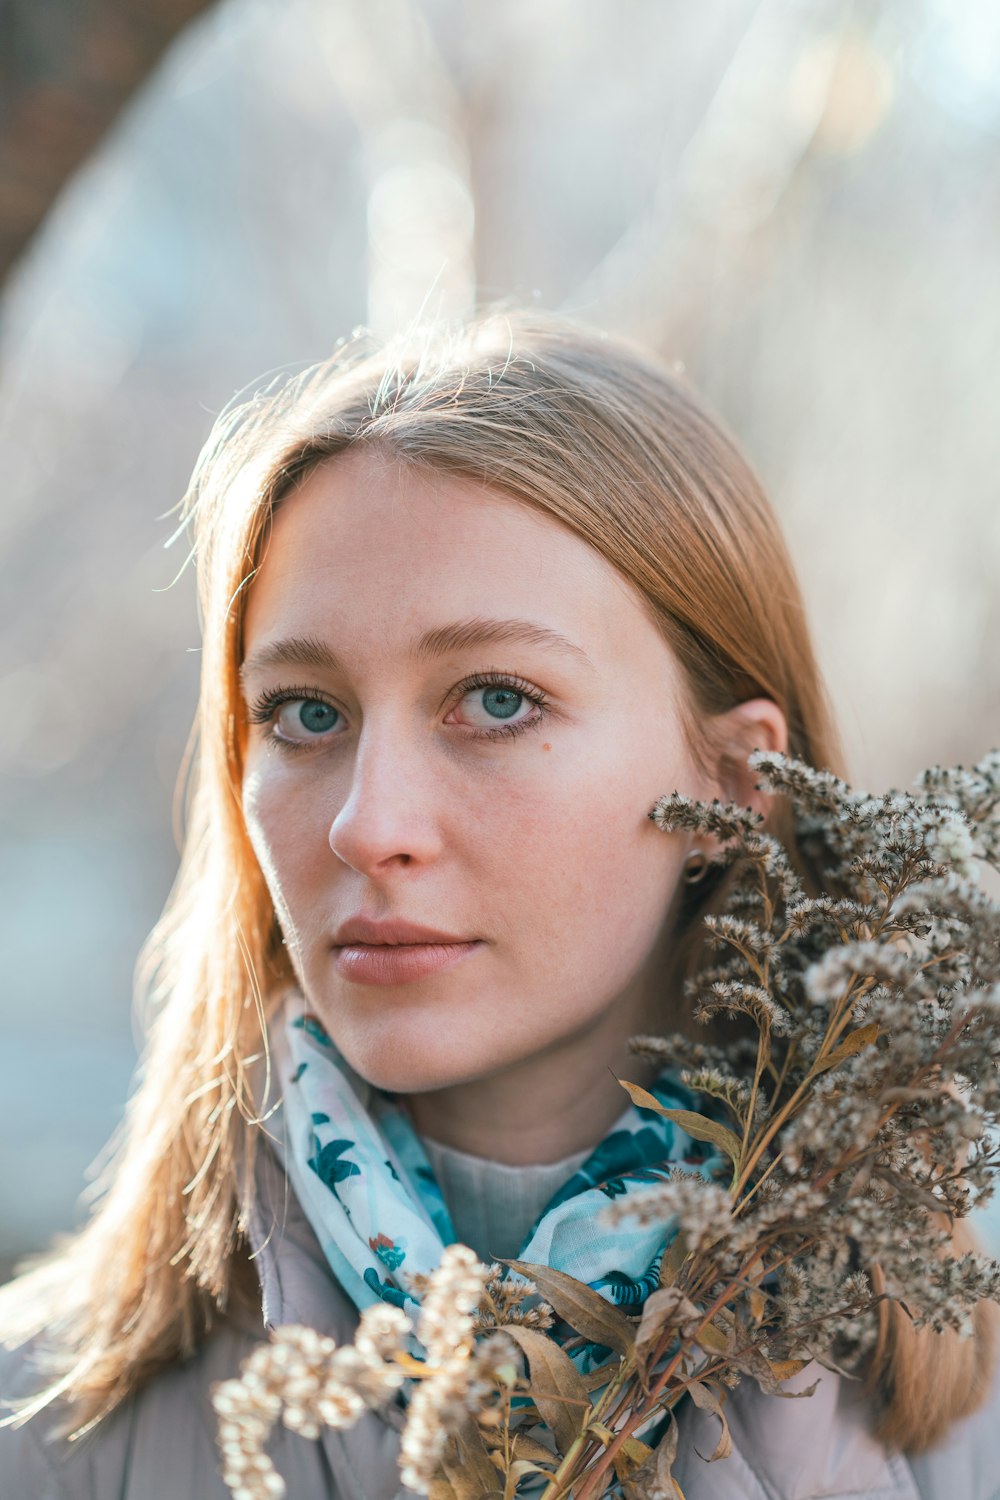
(469, 610)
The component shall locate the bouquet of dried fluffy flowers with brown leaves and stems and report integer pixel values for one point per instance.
(854, 1112)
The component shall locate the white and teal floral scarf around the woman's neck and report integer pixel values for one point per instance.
(370, 1193)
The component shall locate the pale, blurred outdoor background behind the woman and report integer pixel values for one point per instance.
(797, 203)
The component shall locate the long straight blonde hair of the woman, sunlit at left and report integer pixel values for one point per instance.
(602, 439)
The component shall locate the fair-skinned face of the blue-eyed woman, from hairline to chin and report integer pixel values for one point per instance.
(461, 716)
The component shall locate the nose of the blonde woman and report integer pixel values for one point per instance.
(389, 818)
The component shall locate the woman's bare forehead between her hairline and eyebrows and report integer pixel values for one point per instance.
(367, 547)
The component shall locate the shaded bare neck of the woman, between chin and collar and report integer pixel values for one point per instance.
(540, 1111)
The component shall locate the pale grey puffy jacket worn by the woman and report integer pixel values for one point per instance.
(161, 1444)
